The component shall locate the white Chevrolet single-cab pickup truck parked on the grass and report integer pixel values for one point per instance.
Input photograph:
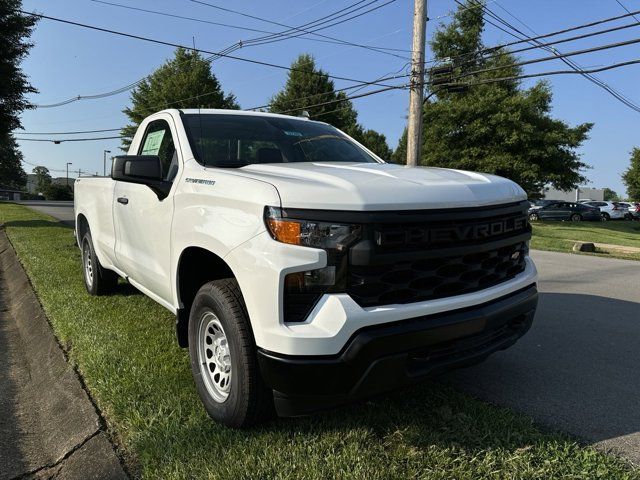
(304, 271)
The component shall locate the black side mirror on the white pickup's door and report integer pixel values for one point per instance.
(141, 169)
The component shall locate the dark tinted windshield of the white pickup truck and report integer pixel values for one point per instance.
(238, 140)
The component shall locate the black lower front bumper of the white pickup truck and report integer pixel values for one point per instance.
(385, 357)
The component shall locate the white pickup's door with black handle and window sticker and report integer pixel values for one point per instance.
(142, 221)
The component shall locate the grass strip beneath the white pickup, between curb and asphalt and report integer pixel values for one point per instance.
(124, 347)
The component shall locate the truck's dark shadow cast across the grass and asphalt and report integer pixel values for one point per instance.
(572, 373)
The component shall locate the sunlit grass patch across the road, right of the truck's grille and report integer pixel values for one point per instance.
(561, 236)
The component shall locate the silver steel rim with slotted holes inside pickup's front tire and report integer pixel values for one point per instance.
(214, 357)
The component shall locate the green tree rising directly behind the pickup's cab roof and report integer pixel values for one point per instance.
(185, 81)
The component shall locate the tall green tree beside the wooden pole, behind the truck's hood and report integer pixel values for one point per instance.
(496, 127)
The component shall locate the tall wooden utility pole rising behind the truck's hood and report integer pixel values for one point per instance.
(416, 94)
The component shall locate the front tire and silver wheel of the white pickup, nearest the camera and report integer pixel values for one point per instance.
(223, 356)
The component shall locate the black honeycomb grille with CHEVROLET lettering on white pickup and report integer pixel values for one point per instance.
(442, 254)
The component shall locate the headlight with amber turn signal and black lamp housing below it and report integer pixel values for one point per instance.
(303, 289)
